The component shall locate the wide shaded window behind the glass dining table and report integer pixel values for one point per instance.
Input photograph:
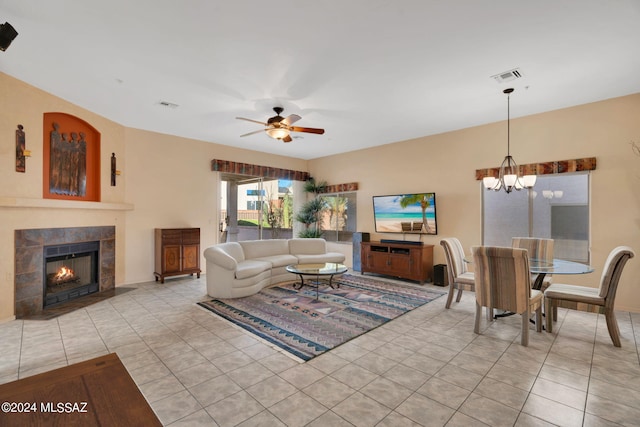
(557, 207)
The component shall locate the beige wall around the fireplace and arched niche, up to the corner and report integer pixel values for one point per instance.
(166, 182)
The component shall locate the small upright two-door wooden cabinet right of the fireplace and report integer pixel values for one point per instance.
(177, 252)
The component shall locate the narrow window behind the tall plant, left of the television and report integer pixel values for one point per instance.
(339, 217)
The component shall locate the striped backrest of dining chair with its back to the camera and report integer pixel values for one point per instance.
(502, 277)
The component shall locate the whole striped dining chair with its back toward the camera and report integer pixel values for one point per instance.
(503, 281)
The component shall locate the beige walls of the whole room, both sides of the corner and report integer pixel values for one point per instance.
(166, 181)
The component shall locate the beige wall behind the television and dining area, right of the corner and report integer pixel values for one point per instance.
(446, 164)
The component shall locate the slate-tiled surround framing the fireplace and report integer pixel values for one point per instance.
(29, 256)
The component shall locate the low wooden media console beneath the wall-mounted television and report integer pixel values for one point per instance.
(407, 261)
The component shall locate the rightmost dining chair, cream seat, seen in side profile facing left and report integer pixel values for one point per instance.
(596, 300)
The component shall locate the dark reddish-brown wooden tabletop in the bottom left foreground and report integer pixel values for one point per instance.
(96, 392)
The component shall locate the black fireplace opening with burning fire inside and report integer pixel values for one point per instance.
(70, 271)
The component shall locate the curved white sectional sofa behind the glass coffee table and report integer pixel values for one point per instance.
(240, 269)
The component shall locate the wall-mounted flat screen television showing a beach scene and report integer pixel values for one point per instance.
(405, 213)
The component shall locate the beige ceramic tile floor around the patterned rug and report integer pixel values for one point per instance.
(426, 368)
